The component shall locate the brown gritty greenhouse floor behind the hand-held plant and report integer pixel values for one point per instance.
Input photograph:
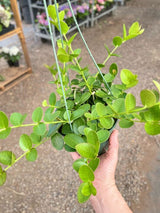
(49, 185)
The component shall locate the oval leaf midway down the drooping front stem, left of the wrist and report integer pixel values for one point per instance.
(86, 173)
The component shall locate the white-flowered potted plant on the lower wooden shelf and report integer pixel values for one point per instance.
(11, 55)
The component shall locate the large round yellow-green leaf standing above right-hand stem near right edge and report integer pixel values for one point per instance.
(148, 98)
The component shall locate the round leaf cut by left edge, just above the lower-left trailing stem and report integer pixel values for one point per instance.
(7, 157)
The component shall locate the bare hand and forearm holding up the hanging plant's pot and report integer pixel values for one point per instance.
(108, 198)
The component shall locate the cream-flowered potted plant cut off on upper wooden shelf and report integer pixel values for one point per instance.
(5, 17)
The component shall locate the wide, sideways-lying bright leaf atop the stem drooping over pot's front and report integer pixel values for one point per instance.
(86, 150)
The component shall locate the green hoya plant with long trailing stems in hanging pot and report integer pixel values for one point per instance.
(81, 115)
